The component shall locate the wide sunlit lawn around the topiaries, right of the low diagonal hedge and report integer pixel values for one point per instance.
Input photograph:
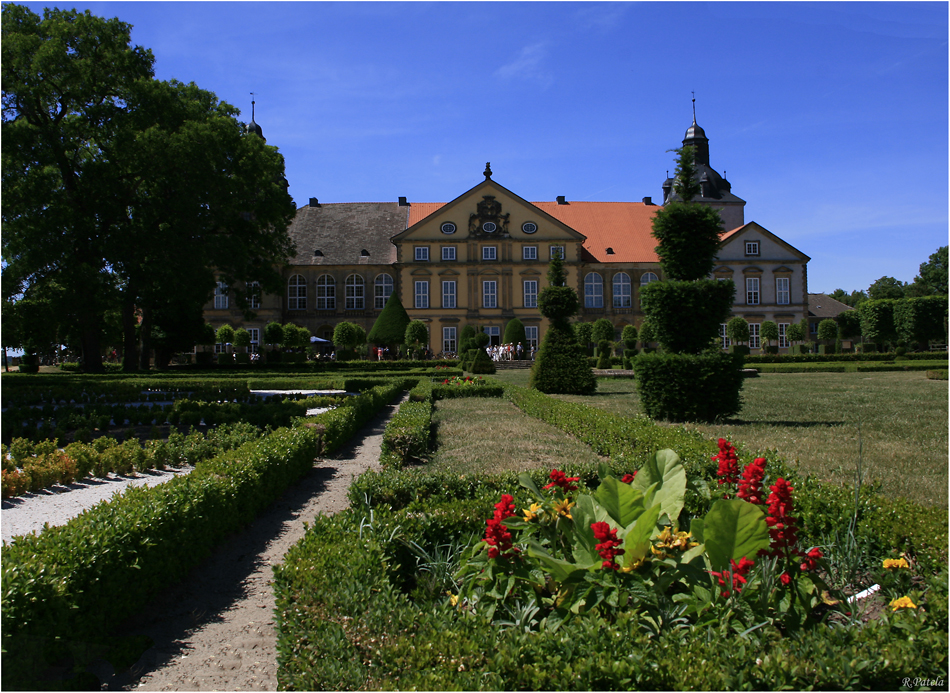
(814, 419)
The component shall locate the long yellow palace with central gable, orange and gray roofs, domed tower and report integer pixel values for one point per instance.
(482, 259)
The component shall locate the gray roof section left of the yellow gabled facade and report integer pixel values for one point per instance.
(342, 231)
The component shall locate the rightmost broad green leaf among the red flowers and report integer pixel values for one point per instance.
(733, 529)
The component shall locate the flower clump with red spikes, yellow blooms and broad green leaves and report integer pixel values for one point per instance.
(620, 548)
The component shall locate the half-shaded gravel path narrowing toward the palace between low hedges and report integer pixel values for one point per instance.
(215, 630)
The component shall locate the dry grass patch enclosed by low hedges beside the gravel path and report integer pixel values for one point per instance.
(489, 436)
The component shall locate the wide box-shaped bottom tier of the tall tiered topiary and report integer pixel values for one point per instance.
(689, 387)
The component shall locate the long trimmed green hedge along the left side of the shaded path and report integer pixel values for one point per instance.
(66, 586)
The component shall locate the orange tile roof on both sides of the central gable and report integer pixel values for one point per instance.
(626, 227)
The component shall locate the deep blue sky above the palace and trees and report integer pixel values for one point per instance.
(830, 119)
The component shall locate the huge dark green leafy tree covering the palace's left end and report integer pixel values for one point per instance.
(127, 191)
